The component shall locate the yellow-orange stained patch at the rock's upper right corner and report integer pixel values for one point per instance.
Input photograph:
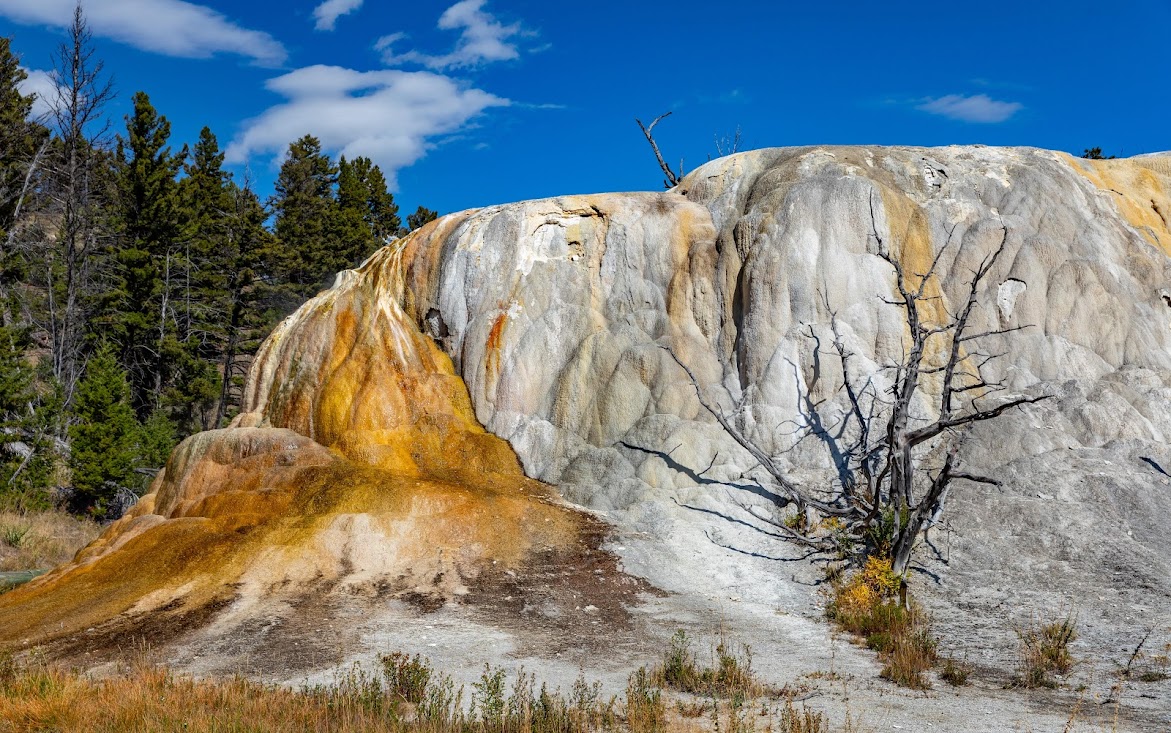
(1140, 188)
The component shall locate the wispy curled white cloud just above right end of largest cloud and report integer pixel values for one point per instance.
(482, 39)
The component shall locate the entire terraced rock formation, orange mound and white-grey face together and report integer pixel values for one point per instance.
(361, 472)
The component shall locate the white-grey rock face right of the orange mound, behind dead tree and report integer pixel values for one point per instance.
(558, 314)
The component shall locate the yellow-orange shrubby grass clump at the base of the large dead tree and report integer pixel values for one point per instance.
(867, 604)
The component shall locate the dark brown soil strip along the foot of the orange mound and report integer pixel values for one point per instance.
(559, 599)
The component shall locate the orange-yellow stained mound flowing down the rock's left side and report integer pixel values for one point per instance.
(353, 413)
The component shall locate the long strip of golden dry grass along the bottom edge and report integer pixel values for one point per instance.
(406, 695)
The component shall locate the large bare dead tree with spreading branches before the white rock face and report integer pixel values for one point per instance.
(901, 465)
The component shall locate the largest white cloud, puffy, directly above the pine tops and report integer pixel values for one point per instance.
(391, 117)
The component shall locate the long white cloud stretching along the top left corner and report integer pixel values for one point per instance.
(170, 28)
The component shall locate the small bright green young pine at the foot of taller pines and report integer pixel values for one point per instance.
(105, 439)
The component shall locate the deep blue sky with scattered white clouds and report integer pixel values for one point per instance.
(490, 101)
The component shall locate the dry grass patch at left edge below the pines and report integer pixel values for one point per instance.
(42, 540)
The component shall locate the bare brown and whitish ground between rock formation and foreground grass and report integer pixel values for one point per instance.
(591, 612)
